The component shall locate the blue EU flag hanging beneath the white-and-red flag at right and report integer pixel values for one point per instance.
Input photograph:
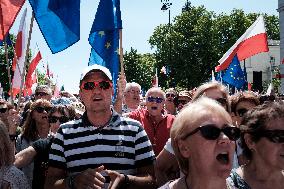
(234, 74)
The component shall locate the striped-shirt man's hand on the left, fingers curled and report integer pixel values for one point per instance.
(90, 178)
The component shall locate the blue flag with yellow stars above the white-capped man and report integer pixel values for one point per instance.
(104, 37)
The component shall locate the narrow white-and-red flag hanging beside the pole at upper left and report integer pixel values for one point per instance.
(20, 53)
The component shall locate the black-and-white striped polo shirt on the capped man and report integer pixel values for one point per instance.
(121, 145)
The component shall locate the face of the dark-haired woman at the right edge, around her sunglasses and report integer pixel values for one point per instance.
(268, 152)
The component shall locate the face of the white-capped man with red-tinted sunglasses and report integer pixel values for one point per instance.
(96, 92)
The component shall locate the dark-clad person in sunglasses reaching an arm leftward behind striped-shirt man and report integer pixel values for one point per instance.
(39, 150)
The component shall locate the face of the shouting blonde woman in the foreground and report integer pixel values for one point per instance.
(212, 158)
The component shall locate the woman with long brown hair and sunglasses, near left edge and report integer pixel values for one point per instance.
(36, 126)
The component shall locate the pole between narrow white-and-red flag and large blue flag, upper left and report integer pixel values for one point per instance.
(26, 61)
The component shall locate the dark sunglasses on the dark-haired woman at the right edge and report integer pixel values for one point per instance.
(275, 136)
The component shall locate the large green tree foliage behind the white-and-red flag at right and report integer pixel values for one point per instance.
(197, 39)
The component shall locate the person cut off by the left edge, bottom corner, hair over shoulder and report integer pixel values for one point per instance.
(10, 176)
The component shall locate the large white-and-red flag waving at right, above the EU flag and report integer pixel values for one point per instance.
(252, 42)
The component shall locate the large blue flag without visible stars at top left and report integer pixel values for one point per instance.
(59, 22)
